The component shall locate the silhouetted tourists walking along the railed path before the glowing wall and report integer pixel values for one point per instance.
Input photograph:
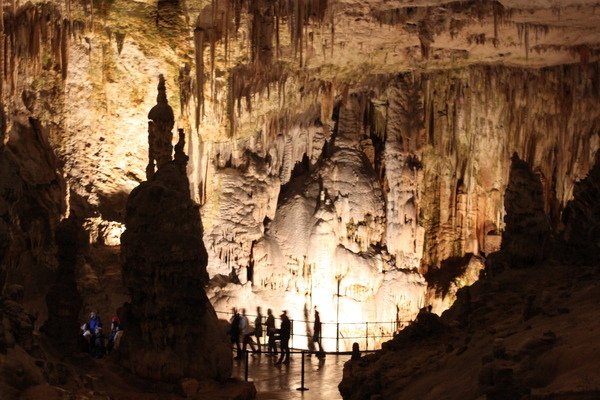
(242, 334)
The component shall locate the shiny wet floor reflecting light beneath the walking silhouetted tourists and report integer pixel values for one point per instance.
(280, 381)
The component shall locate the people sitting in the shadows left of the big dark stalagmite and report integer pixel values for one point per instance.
(94, 340)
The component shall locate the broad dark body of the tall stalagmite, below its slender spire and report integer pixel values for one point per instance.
(172, 329)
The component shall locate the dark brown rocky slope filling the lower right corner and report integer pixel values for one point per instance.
(522, 332)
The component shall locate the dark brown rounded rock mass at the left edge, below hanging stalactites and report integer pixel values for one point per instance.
(32, 201)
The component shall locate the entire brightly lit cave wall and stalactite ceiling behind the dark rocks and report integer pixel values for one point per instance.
(327, 168)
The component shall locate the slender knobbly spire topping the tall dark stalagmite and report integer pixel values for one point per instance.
(160, 135)
